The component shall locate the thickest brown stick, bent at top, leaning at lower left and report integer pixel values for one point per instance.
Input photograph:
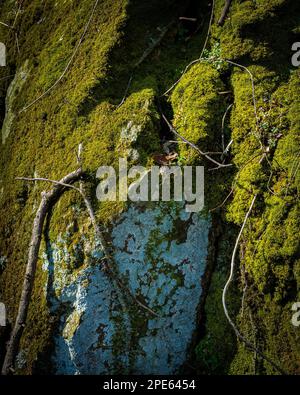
(47, 198)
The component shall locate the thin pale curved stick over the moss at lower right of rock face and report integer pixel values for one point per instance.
(238, 334)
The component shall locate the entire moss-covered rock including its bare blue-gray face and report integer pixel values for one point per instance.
(83, 107)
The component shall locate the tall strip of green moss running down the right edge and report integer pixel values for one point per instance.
(269, 246)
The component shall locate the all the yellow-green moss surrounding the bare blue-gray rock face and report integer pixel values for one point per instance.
(83, 109)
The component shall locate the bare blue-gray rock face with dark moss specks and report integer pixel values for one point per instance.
(160, 253)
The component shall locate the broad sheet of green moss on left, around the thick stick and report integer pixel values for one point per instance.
(82, 108)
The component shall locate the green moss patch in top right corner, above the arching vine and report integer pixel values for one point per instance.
(259, 32)
